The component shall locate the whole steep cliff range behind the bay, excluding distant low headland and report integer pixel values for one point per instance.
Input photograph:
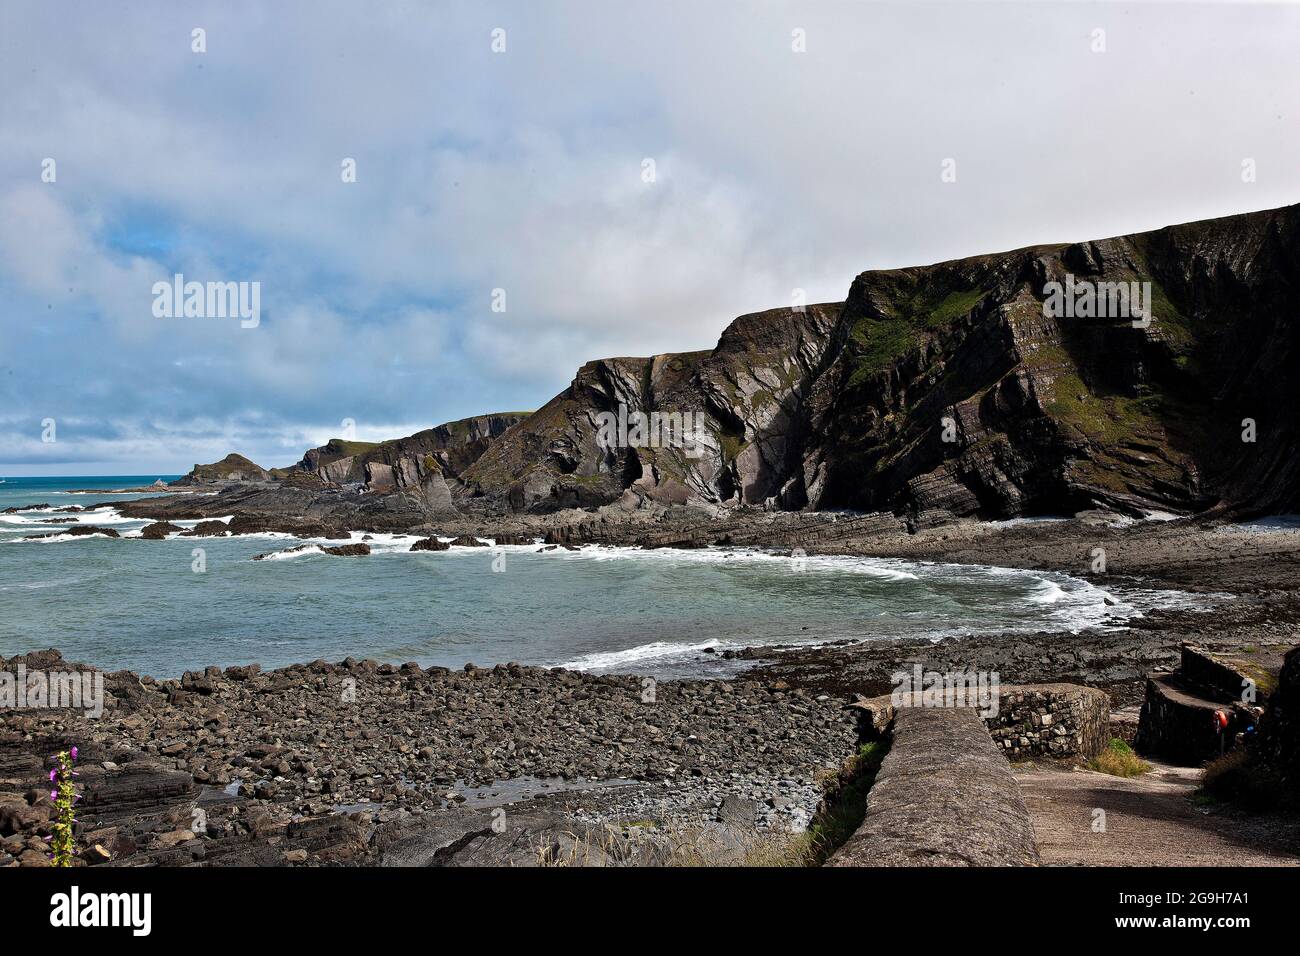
(947, 388)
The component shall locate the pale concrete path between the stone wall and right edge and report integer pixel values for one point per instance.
(1150, 821)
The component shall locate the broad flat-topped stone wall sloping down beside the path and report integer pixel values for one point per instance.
(944, 798)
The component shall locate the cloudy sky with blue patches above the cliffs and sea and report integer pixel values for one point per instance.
(544, 184)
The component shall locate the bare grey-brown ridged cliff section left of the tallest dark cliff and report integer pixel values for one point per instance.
(743, 403)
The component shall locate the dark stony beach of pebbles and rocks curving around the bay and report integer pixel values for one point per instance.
(422, 751)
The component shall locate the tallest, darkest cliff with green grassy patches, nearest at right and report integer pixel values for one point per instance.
(1055, 414)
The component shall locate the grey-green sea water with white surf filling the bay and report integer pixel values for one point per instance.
(129, 603)
